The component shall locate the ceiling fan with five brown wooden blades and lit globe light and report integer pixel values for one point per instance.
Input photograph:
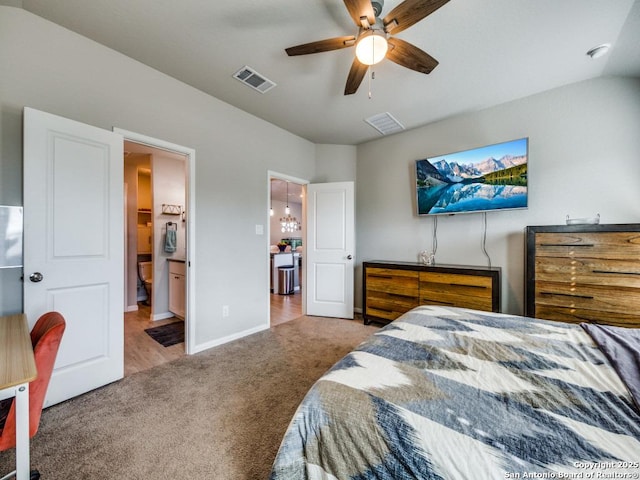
(374, 41)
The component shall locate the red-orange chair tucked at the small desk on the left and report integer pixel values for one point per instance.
(46, 336)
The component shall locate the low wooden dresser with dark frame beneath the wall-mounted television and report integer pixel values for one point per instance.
(393, 288)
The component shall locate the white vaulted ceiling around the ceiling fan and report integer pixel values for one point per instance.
(490, 52)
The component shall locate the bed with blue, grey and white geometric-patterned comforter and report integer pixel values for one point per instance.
(451, 393)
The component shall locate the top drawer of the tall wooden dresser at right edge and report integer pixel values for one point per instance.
(604, 245)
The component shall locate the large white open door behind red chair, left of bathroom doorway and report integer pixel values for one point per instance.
(73, 247)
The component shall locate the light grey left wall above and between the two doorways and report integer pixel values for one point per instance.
(49, 68)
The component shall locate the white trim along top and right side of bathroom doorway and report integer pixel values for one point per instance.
(190, 189)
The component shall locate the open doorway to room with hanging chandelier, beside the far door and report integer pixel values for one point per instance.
(286, 248)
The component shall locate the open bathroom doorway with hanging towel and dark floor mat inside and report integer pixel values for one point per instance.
(157, 263)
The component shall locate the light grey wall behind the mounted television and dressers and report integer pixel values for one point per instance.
(584, 159)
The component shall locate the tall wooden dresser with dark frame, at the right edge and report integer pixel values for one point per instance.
(584, 273)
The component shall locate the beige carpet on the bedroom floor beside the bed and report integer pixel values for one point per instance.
(220, 414)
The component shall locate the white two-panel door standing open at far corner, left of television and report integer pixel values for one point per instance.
(330, 249)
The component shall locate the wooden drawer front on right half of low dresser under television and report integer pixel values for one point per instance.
(467, 291)
